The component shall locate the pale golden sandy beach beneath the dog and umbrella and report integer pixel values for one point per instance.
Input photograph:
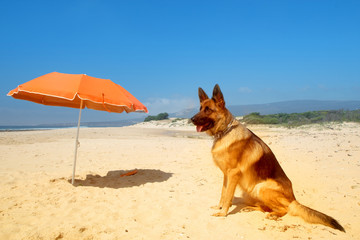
(175, 185)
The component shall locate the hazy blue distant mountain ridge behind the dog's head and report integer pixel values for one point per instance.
(298, 106)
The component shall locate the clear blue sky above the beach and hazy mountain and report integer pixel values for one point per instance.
(162, 51)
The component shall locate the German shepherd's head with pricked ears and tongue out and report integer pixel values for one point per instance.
(213, 116)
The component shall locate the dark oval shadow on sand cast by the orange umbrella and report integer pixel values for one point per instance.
(116, 179)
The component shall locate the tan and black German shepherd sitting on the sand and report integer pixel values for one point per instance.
(247, 161)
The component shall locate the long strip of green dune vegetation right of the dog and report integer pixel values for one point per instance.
(297, 119)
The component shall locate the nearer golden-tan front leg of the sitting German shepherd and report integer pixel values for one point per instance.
(232, 179)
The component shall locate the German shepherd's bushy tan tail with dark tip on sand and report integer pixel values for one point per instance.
(313, 216)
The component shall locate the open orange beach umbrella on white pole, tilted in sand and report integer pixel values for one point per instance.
(78, 91)
